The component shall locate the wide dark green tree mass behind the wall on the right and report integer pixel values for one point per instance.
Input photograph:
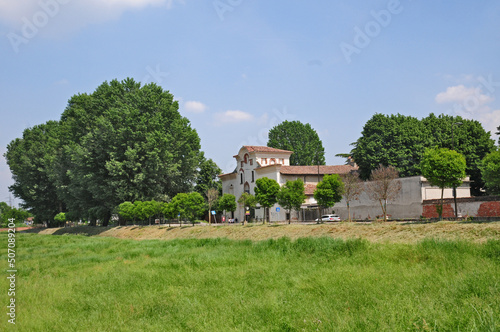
(400, 141)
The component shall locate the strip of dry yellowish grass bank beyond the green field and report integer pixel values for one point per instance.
(375, 232)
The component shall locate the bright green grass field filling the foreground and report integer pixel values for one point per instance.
(78, 283)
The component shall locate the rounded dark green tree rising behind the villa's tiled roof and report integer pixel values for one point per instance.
(300, 138)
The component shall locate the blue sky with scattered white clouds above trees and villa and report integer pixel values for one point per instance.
(240, 67)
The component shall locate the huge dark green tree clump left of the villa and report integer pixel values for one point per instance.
(123, 142)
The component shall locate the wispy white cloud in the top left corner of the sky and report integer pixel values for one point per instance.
(57, 17)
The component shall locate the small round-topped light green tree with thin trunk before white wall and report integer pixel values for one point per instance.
(443, 168)
